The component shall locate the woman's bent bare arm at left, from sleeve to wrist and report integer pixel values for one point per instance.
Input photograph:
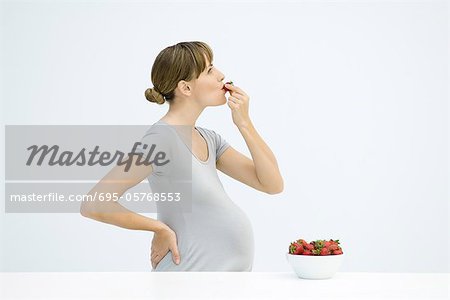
(116, 183)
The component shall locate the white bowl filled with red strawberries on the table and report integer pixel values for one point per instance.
(319, 259)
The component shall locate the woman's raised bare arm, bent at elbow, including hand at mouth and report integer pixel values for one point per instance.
(261, 173)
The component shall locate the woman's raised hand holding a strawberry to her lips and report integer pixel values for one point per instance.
(238, 103)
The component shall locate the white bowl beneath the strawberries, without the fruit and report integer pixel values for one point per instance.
(315, 266)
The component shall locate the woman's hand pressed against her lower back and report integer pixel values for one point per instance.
(164, 240)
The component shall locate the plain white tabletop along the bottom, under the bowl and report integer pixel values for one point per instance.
(222, 285)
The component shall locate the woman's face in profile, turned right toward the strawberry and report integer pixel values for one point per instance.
(208, 87)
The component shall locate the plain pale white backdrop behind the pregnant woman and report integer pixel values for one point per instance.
(352, 97)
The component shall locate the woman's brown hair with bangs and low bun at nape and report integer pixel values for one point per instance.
(183, 61)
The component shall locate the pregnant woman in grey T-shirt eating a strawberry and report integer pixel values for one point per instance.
(213, 234)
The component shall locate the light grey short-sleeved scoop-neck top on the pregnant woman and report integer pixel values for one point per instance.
(216, 235)
